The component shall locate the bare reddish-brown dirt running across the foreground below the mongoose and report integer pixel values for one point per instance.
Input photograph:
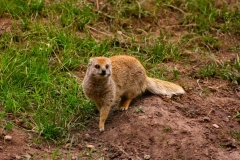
(198, 125)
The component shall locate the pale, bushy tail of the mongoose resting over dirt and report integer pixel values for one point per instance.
(161, 87)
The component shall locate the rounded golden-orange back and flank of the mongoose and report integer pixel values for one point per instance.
(129, 76)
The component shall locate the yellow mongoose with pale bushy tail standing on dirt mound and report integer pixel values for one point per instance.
(120, 78)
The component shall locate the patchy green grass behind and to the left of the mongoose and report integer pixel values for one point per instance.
(49, 40)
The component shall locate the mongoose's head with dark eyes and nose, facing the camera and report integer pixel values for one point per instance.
(99, 67)
